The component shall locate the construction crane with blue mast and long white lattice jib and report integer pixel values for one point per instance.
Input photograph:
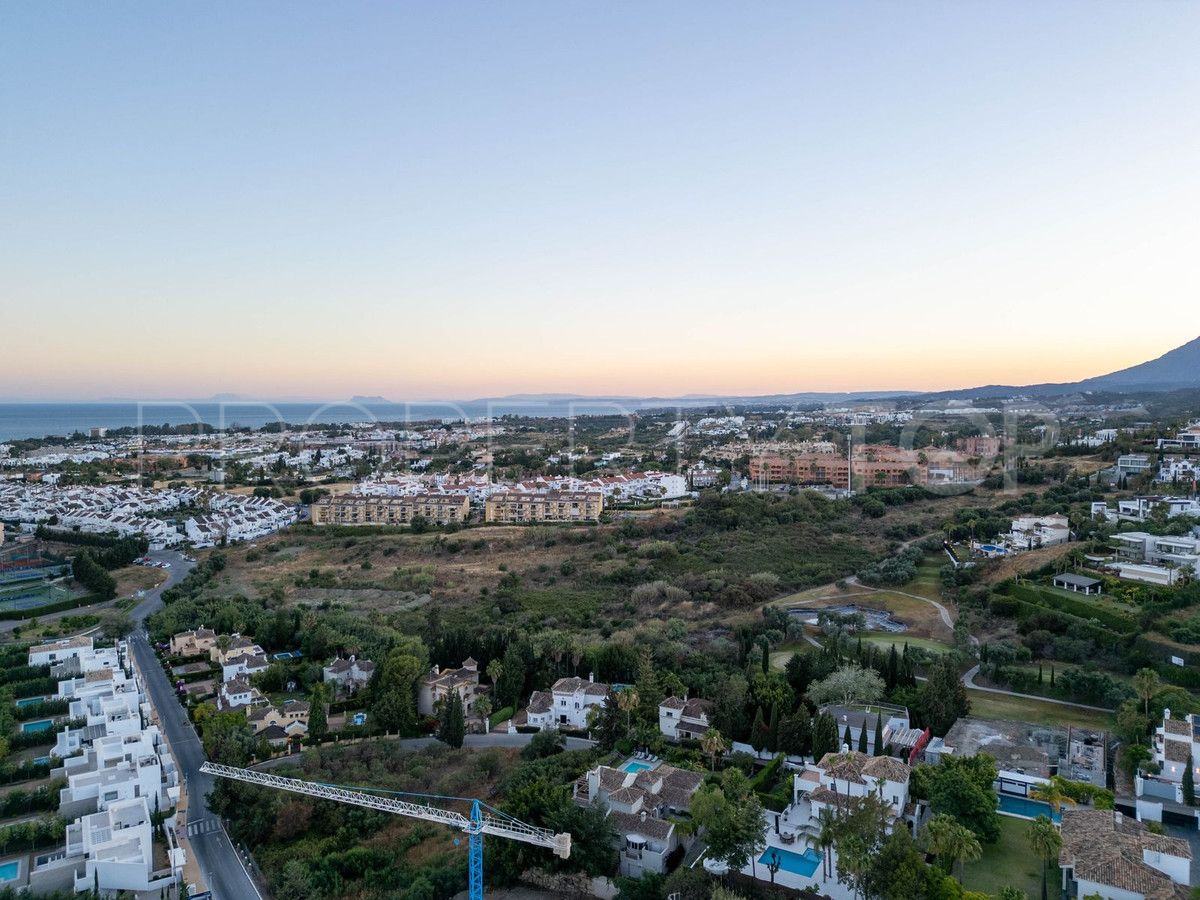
(483, 820)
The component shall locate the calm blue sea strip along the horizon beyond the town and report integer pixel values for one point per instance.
(37, 421)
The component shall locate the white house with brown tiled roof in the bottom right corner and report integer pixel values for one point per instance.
(1114, 857)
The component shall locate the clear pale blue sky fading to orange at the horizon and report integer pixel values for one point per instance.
(453, 201)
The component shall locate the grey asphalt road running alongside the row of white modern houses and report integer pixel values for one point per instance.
(217, 856)
